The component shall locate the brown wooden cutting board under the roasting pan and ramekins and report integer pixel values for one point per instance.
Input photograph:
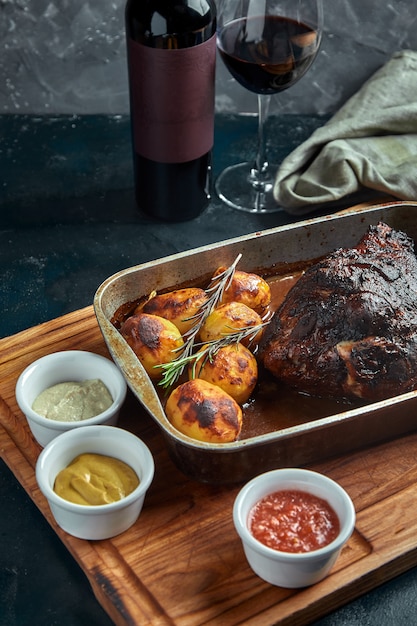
(182, 562)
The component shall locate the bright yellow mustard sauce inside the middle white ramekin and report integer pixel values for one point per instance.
(94, 479)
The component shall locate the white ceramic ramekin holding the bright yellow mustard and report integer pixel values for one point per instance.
(105, 520)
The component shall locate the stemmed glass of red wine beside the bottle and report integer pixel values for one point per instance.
(267, 46)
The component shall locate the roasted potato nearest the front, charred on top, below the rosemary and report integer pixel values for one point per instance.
(205, 412)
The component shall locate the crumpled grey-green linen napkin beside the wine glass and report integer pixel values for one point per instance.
(369, 144)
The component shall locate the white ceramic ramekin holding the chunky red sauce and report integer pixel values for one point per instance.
(285, 569)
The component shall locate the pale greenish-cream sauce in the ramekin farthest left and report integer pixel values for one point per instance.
(73, 401)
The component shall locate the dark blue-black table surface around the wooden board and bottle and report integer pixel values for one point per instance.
(67, 222)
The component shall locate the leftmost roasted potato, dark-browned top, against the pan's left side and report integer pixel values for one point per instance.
(153, 339)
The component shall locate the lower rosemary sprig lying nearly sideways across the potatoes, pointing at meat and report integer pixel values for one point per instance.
(173, 370)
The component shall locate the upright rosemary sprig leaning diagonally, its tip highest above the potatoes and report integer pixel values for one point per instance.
(218, 285)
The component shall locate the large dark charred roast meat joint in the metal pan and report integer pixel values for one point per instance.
(348, 327)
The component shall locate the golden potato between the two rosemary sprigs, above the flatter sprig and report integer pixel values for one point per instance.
(228, 318)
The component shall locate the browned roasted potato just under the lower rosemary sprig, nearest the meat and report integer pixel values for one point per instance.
(233, 368)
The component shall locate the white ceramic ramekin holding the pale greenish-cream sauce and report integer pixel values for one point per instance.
(58, 367)
